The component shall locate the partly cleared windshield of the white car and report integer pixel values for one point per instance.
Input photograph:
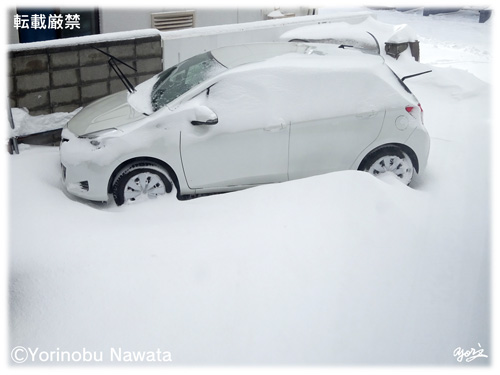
(180, 78)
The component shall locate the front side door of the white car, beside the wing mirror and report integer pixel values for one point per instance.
(247, 146)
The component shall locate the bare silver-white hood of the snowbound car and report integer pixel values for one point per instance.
(111, 111)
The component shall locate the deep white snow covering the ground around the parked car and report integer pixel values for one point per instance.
(339, 269)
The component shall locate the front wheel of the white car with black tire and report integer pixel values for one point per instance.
(141, 179)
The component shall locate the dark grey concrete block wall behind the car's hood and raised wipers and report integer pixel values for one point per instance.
(61, 79)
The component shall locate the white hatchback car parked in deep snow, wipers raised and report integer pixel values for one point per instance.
(246, 115)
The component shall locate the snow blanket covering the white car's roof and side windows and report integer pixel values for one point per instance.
(316, 74)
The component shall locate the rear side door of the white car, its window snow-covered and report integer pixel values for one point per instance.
(333, 126)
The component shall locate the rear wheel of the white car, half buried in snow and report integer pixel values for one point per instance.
(390, 160)
